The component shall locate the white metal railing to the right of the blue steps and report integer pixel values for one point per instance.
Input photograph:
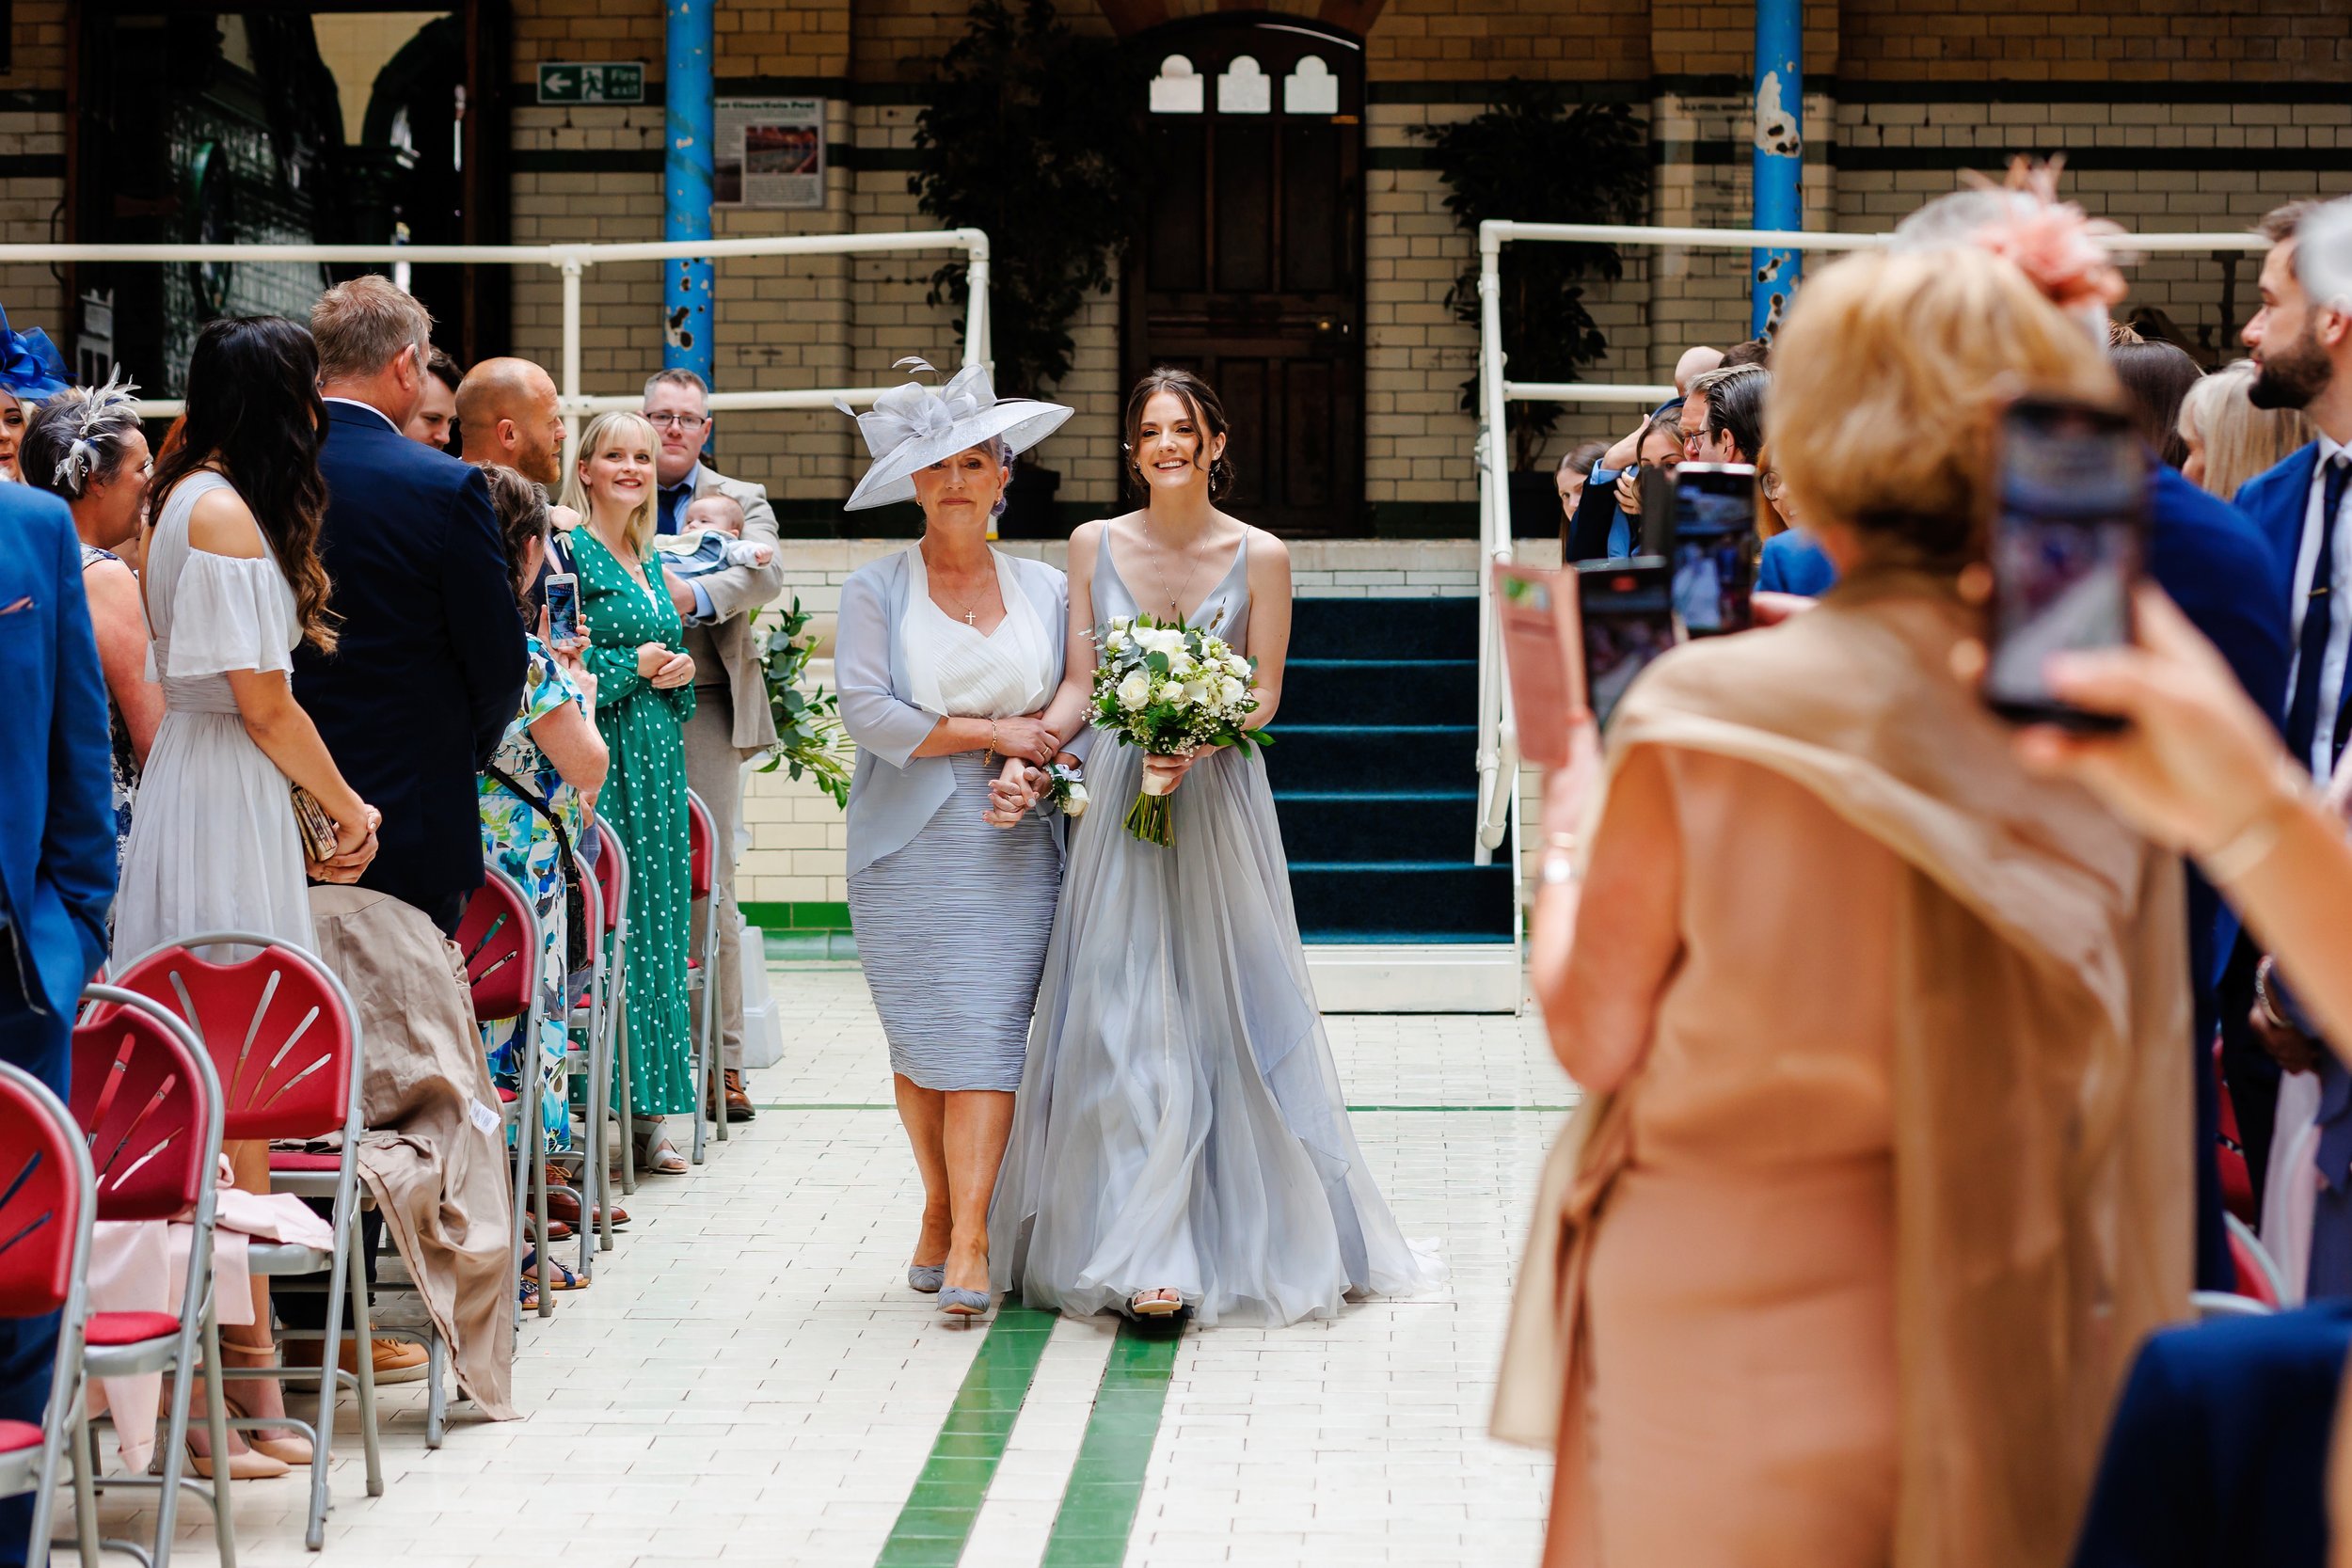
(1497, 739)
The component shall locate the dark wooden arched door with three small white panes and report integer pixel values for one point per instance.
(1250, 267)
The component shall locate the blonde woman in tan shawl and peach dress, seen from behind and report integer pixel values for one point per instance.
(1883, 1160)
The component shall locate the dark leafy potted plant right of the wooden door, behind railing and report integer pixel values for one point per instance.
(1537, 159)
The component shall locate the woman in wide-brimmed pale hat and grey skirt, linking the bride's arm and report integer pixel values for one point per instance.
(944, 659)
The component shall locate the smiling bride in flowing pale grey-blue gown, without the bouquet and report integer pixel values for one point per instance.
(1180, 1137)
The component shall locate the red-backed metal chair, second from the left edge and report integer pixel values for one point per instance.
(147, 1099)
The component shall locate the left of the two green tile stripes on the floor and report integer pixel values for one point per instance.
(937, 1517)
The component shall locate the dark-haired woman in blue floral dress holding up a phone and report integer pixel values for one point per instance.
(544, 777)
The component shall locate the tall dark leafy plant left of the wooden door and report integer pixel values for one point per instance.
(1031, 135)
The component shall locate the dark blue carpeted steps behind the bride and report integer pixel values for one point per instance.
(1372, 772)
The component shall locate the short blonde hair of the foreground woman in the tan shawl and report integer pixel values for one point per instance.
(1890, 380)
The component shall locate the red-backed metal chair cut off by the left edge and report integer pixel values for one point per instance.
(46, 1209)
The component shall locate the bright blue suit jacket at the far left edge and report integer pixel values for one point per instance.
(58, 808)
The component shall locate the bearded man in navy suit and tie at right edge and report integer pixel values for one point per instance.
(2304, 507)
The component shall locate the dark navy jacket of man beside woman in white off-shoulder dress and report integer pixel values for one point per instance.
(429, 664)
